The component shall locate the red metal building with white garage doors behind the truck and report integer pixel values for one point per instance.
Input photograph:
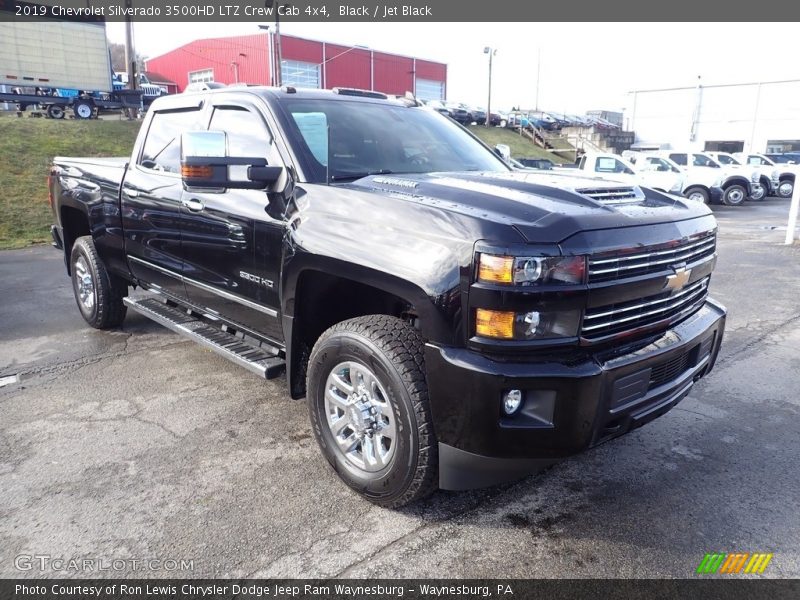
(304, 63)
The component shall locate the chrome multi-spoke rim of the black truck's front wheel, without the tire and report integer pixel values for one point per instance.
(359, 416)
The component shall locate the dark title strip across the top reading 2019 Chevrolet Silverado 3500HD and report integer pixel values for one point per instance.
(406, 11)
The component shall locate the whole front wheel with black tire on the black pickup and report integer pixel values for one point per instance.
(384, 356)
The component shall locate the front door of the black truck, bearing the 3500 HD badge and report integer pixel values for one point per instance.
(232, 248)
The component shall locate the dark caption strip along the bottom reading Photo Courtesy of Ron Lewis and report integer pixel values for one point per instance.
(389, 589)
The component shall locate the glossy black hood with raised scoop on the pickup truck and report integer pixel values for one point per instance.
(545, 207)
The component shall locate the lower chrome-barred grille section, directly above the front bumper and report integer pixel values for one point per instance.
(666, 307)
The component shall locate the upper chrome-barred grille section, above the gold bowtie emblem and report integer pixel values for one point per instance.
(608, 267)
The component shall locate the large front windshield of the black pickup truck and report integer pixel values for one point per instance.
(344, 141)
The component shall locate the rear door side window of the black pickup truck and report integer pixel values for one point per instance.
(162, 146)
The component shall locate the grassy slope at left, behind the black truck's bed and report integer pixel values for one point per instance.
(27, 146)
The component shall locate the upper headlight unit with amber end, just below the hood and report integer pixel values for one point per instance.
(530, 270)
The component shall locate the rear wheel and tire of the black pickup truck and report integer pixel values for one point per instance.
(98, 293)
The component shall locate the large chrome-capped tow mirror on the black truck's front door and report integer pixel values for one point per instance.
(205, 164)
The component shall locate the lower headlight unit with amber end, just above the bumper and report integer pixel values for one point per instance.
(530, 325)
